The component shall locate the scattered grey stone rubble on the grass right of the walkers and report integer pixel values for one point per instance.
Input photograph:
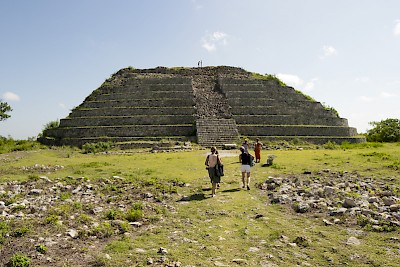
(342, 197)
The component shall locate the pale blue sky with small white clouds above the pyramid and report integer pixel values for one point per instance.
(53, 53)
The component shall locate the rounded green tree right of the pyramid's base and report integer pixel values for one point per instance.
(384, 131)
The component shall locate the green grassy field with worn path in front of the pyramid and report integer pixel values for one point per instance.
(236, 228)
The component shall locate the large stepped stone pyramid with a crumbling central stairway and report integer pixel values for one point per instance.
(212, 106)
